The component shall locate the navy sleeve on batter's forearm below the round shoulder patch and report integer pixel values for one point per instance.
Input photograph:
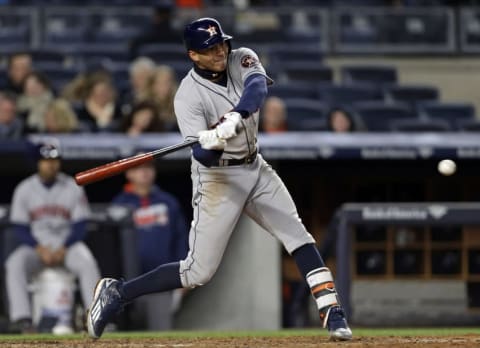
(253, 95)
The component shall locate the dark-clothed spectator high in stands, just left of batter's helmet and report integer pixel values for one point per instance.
(160, 30)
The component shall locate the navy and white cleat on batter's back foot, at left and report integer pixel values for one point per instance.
(107, 301)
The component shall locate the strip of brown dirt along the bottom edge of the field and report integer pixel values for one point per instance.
(252, 342)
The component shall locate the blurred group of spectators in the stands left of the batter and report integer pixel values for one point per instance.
(89, 103)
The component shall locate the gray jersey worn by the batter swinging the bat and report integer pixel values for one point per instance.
(200, 103)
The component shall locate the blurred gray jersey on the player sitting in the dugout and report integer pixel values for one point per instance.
(49, 211)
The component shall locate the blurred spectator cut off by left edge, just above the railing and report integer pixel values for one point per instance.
(11, 127)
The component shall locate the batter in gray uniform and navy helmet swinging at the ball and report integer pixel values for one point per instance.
(218, 102)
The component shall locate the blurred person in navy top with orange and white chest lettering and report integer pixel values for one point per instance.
(160, 236)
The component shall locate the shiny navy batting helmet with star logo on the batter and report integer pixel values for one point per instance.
(204, 33)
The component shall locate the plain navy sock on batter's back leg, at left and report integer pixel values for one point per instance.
(163, 278)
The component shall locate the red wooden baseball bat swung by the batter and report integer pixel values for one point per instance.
(120, 166)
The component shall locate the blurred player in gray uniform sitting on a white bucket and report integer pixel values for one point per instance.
(48, 214)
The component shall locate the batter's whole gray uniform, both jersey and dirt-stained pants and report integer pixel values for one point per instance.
(222, 194)
